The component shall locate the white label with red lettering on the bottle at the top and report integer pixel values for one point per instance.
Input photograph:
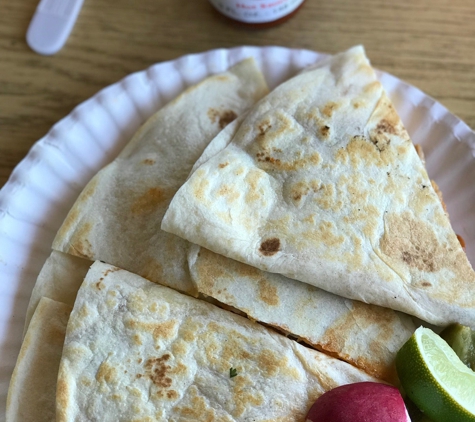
(256, 11)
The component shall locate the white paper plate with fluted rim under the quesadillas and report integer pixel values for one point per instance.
(45, 184)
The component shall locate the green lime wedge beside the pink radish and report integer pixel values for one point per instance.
(435, 379)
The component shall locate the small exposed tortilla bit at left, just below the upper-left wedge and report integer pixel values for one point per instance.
(59, 279)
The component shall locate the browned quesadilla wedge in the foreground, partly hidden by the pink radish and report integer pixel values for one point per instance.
(135, 350)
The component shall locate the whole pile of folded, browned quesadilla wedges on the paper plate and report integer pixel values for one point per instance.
(316, 186)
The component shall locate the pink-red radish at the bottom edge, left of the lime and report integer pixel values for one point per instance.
(360, 402)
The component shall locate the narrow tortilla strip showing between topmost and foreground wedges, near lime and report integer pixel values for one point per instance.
(367, 336)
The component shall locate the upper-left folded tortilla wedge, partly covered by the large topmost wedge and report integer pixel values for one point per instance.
(117, 217)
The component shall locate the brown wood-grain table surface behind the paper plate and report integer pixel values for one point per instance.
(428, 43)
